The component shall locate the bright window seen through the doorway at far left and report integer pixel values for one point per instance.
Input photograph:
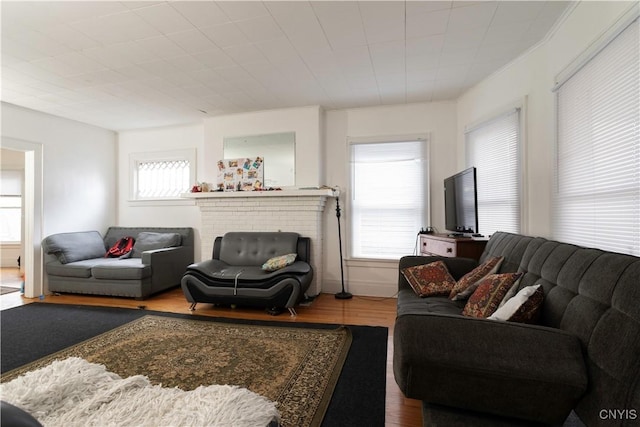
(11, 206)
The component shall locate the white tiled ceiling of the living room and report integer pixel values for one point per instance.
(136, 64)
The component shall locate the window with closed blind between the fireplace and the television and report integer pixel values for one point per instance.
(389, 195)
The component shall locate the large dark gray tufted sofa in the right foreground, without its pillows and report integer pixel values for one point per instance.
(583, 355)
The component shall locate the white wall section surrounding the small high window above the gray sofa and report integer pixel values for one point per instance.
(181, 213)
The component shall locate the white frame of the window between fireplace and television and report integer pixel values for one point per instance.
(424, 138)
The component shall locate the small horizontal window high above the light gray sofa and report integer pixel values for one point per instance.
(162, 175)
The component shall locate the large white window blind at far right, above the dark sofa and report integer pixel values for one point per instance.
(597, 200)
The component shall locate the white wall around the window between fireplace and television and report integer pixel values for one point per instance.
(439, 121)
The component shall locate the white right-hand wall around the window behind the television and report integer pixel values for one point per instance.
(533, 76)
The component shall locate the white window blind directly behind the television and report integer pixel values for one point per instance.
(493, 147)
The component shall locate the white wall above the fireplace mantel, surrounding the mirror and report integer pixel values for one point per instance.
(305, 122)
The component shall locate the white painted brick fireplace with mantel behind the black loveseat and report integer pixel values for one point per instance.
(288, 210)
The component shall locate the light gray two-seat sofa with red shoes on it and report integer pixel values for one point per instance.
(76, 262)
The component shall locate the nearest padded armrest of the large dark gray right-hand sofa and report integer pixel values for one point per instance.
(466, 362)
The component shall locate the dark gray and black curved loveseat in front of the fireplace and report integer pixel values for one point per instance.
(235, 275)
